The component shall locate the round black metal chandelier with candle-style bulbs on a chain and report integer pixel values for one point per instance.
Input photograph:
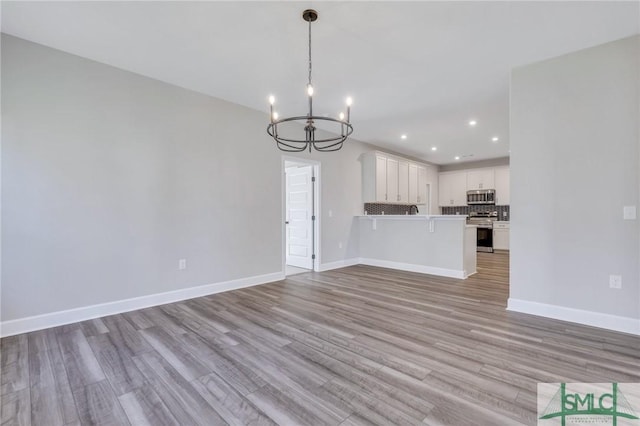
(326, 143)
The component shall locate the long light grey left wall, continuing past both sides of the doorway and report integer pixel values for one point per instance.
(108, 178)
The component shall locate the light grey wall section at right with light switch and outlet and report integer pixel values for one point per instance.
(574, 165)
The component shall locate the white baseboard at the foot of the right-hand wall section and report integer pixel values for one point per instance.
(595, 319)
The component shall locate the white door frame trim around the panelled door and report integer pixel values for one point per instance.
(317, 190)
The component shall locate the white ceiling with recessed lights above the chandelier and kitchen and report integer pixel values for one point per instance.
(420, 68)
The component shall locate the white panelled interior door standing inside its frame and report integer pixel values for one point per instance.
(299, 209)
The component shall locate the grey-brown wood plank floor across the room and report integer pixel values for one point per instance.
(359, 345)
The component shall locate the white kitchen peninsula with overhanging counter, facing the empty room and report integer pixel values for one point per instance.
(432, 244)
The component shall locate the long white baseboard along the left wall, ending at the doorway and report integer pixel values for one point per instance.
(54, 319)
